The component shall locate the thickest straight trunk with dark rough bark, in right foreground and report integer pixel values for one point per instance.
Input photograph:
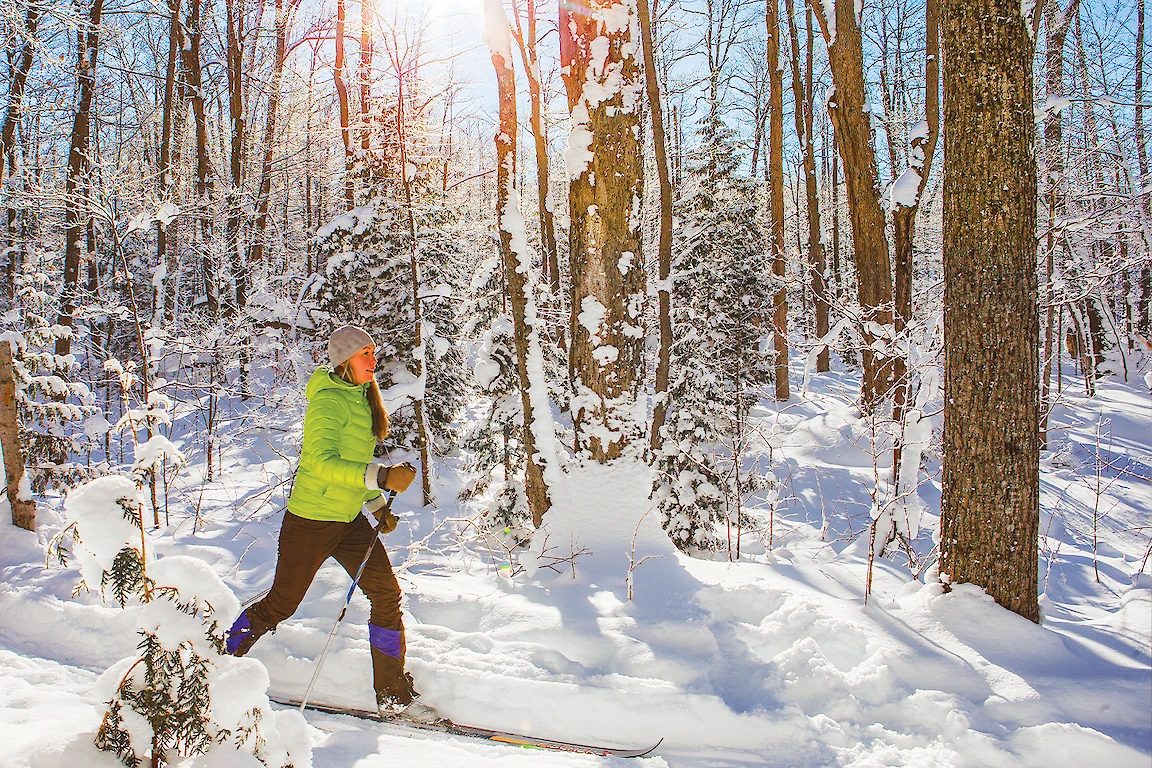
(990, 510)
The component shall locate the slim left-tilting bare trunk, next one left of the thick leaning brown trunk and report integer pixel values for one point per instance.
(804, 116)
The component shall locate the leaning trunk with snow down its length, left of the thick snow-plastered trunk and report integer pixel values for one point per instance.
(518, 269)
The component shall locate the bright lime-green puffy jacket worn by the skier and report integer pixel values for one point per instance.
(338, 448)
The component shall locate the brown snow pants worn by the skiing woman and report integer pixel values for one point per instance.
(305, 545)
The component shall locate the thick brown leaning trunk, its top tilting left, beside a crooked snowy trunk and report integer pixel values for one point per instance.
(853, 123)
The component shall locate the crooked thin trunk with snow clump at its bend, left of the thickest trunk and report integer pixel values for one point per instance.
(905, 211)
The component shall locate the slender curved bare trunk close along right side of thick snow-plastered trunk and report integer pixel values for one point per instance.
(664, 287)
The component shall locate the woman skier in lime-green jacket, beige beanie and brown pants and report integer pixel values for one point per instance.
(337, 476)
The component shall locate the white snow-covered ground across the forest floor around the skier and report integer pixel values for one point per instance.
(770, 661)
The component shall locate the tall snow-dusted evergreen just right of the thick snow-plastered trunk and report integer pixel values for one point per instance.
(722, 359)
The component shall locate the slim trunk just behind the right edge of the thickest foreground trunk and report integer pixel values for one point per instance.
(1057, 24)
